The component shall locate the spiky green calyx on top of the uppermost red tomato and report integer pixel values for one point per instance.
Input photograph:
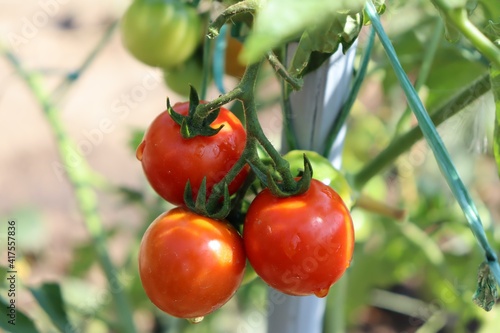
(189, 127)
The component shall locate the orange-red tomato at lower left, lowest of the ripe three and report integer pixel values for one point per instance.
(190, 265)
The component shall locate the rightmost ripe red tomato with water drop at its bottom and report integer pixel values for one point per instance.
(299, 245)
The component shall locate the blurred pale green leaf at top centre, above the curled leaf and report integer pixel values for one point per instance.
(280, 21)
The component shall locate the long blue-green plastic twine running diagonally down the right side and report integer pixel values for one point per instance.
(436, 144)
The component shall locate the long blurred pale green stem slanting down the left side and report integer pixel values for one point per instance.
(80, 178)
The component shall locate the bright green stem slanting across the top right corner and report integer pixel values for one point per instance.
(458, 17)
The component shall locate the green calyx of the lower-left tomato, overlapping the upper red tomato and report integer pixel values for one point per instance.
(211, 207)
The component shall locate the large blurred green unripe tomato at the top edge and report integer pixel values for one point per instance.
(161, 33)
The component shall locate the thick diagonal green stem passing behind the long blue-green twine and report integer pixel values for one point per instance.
(403, 142)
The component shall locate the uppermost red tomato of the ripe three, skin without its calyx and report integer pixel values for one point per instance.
(169, 160)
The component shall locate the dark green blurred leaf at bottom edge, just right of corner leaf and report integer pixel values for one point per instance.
(50, 299)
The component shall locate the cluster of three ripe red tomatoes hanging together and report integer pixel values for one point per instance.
(190, 265)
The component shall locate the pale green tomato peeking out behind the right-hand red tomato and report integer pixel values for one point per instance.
(322, 171)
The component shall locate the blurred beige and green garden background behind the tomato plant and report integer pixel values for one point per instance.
(411, 273)
